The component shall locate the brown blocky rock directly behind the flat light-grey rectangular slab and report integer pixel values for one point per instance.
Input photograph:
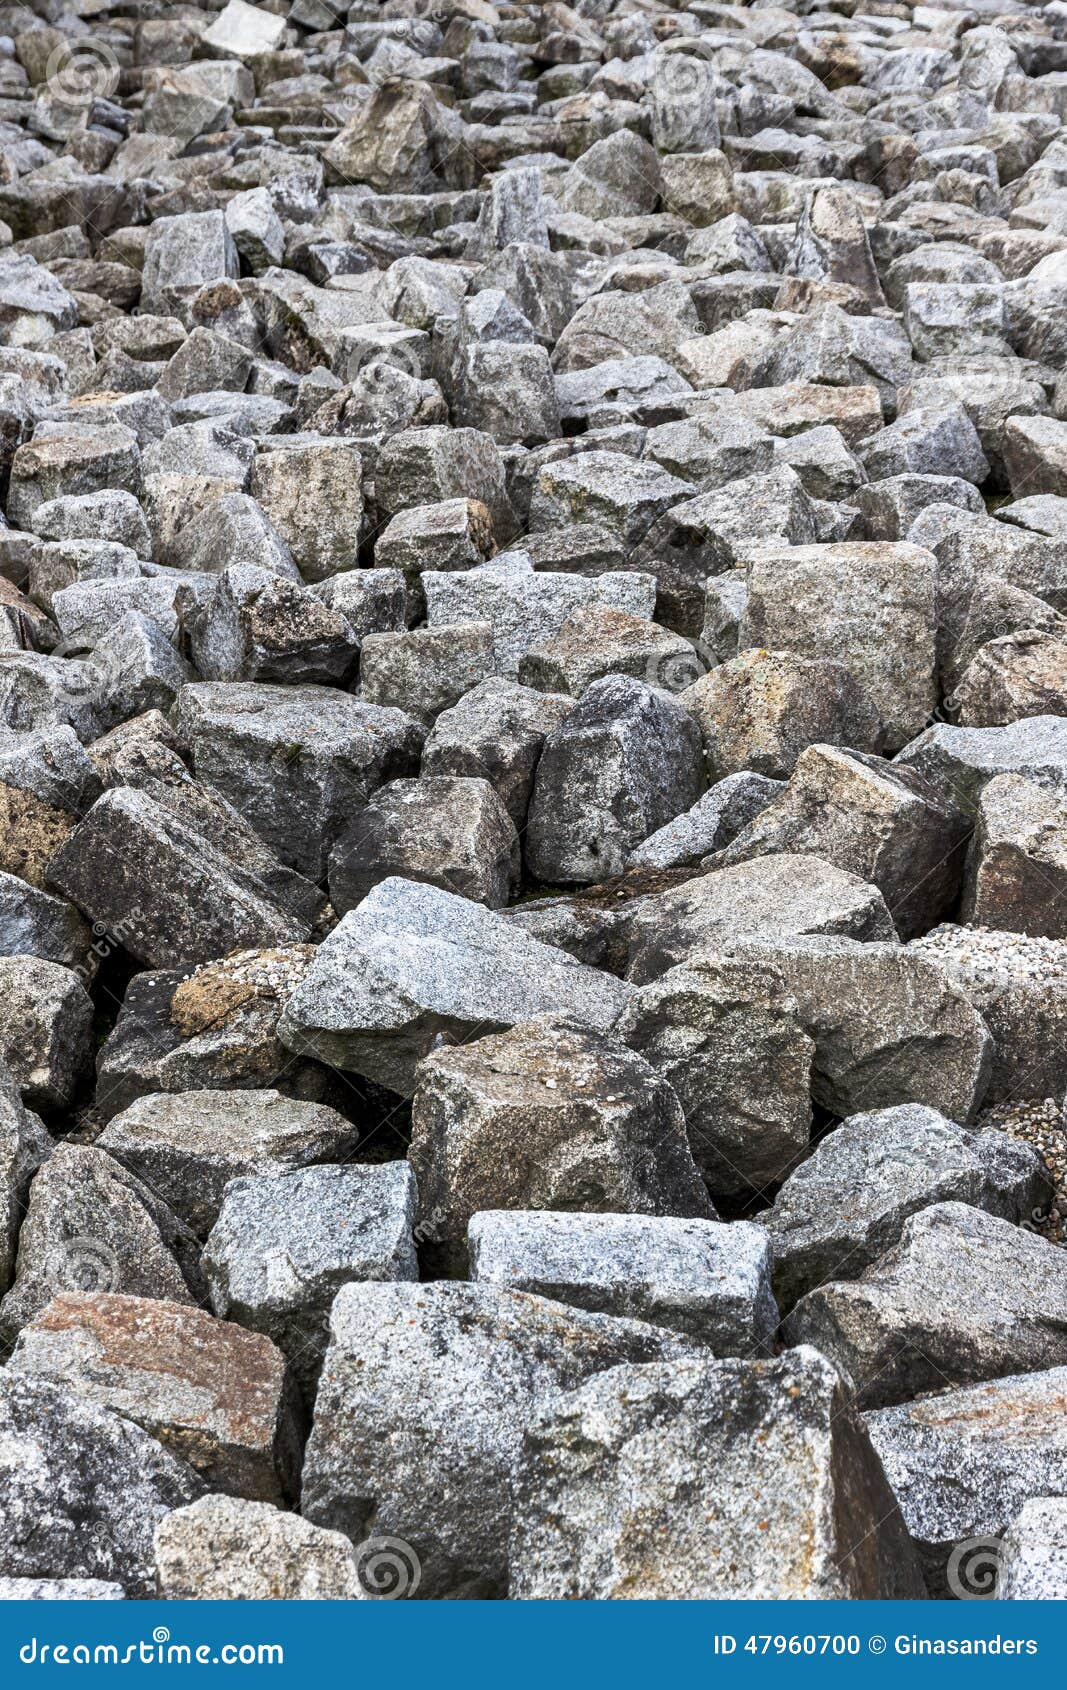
(545, 1116)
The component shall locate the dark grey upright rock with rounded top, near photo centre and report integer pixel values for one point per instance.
(623, 765)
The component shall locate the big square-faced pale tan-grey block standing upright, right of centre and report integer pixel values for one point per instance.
(870, 604)
